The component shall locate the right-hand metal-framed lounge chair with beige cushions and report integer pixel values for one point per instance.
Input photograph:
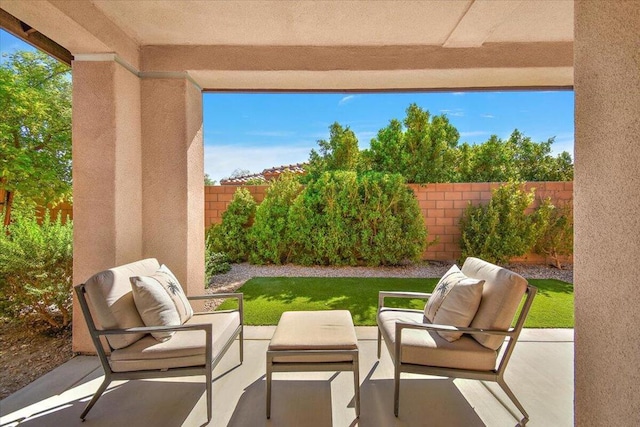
(416, 345)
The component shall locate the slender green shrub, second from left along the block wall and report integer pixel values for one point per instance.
(268, 233)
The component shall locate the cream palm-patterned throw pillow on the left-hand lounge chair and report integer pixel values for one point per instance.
(160, 301)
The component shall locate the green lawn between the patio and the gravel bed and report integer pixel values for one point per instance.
(265, 298)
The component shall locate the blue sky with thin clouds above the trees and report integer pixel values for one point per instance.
(255, 131)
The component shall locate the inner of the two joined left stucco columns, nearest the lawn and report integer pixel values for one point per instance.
(173, 178)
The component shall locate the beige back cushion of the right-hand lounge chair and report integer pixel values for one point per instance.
(501, 295)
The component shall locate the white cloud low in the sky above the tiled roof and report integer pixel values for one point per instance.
(221, 160)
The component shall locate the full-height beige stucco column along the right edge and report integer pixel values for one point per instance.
(607, 209)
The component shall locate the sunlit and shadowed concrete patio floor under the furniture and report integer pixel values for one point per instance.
(540, 374)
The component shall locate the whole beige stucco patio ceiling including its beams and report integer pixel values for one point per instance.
(323, 45)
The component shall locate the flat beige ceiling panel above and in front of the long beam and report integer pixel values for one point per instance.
(464, 23)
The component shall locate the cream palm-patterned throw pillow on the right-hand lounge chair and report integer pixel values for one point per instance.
(454, 301)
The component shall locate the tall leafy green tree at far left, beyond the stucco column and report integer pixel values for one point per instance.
(35, 129)
